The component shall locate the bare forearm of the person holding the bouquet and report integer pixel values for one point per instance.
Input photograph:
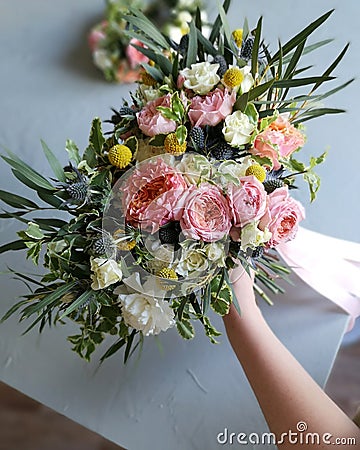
(285, 391)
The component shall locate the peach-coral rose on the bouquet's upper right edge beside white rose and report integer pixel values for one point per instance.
(279, 139)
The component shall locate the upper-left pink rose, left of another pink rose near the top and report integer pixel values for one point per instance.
(151, 122)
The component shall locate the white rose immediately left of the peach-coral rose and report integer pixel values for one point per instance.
(237, 129)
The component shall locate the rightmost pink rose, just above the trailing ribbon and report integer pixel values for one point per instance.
(283, 216)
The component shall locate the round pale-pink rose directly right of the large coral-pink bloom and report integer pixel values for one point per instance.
(206, 214)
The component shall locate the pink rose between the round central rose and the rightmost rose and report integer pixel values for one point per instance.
(247, 201)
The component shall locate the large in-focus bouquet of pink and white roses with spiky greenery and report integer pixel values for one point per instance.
(193, 177)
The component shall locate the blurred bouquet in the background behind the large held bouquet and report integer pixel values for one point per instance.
(111, 44)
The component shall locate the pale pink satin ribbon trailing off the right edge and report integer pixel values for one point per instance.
(329, 265)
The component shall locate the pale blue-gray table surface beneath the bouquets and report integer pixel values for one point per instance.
(183, 396)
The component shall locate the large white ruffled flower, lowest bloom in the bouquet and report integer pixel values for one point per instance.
(143, 311)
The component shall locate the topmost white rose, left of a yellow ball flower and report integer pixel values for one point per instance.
(201, 78)
